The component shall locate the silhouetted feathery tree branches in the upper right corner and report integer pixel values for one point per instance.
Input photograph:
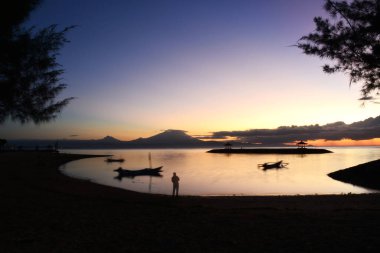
(351, 40)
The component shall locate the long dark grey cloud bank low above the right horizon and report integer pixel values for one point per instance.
(362, 130)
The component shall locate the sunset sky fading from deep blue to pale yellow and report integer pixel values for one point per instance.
(140, 67)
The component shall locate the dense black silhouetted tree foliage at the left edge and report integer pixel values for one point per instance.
(29, 73)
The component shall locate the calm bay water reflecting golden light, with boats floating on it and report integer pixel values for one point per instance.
(203, 173)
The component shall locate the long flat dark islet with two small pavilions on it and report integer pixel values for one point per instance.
(271, 151)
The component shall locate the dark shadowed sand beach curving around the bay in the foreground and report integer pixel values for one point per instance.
(45, 211)
